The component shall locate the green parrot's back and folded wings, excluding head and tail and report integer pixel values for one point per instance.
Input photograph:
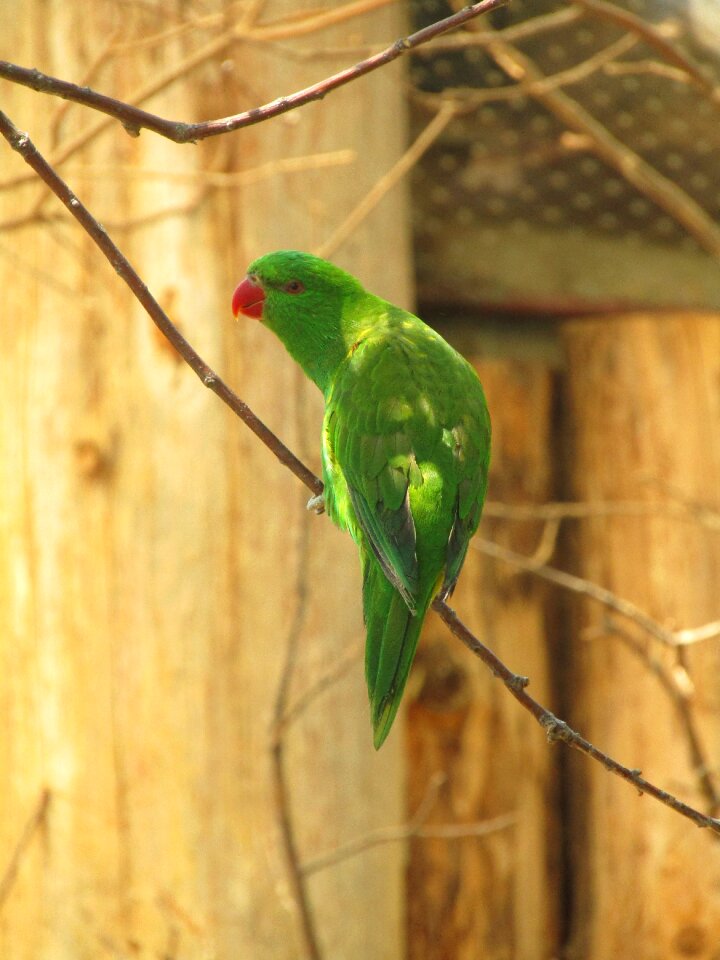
(407, 434)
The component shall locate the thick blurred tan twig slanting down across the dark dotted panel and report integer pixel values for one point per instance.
(645, 178)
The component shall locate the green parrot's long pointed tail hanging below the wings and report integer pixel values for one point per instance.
(392, 637)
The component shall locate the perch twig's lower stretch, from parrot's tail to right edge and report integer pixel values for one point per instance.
(557, 729)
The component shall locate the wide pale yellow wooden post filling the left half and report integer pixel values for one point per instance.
(156, 563)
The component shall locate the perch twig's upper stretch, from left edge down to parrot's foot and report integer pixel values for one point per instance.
(24, 146)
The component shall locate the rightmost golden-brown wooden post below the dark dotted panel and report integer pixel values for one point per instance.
(644, 404)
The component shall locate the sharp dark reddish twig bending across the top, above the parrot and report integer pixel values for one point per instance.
(134, 119)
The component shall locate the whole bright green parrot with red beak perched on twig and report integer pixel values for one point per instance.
(405, 446)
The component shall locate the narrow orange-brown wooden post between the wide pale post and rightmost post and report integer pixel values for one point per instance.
(490, 896)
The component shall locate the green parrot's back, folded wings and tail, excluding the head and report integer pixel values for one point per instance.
(405, 457)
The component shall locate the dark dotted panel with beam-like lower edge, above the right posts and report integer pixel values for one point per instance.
(519, 205)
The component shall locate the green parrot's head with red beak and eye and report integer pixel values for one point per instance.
(308, 303)
